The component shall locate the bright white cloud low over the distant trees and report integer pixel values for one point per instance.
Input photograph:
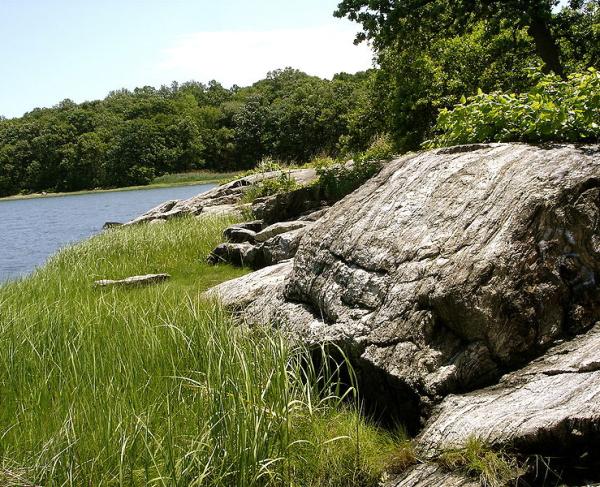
(243, 57)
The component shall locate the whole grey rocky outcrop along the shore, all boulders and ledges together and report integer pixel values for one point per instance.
(462, 284)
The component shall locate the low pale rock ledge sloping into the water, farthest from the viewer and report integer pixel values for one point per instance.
(224, 199)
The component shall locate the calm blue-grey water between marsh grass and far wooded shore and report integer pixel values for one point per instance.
(33, 230)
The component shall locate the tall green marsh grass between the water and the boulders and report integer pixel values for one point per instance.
(156, 386)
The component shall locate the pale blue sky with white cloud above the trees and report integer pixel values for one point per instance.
(82, 49)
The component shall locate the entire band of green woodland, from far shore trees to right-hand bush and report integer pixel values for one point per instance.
(458, 59)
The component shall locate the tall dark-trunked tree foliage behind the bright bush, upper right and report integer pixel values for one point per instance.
(432, 52)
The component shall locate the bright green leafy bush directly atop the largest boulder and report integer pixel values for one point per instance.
(554, 110)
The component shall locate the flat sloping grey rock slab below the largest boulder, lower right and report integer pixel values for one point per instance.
(553, 404)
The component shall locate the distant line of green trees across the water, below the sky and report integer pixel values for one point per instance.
(131, 137)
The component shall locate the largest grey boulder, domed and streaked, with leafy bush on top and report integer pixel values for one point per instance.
(448, 268)
